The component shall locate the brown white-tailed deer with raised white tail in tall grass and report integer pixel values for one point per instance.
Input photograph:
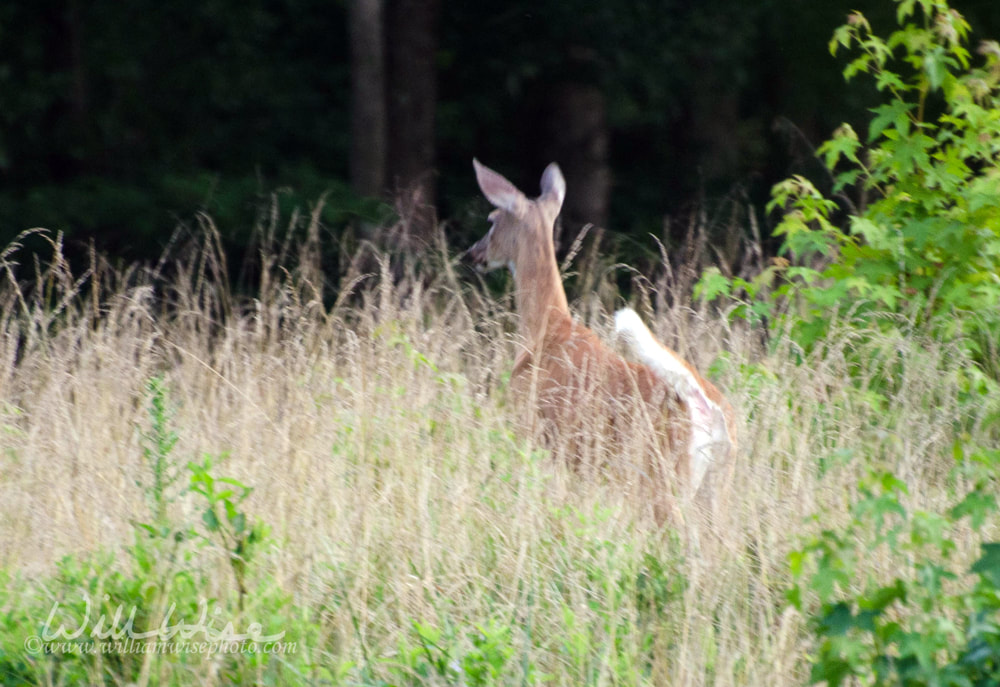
(570, 374)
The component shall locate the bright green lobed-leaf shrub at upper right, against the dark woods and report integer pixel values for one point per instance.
(927, 245)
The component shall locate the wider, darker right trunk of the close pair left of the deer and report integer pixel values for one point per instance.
(412, 99)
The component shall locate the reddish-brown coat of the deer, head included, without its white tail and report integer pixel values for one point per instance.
(575, 381)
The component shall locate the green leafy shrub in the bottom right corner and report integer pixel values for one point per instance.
(932, 623)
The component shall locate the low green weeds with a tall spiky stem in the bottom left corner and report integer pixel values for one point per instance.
(96, 620)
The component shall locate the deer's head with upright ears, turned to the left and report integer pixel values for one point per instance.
(522, 227)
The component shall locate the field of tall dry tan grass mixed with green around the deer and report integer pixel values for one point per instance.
(406, 533)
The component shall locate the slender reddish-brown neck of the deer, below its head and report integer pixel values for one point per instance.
(539, 295)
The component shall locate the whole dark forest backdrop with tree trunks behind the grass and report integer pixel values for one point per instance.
(120, 121)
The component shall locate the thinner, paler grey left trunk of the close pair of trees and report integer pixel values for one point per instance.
(368, 107)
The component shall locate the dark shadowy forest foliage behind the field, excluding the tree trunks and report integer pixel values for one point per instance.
(119, 122)
